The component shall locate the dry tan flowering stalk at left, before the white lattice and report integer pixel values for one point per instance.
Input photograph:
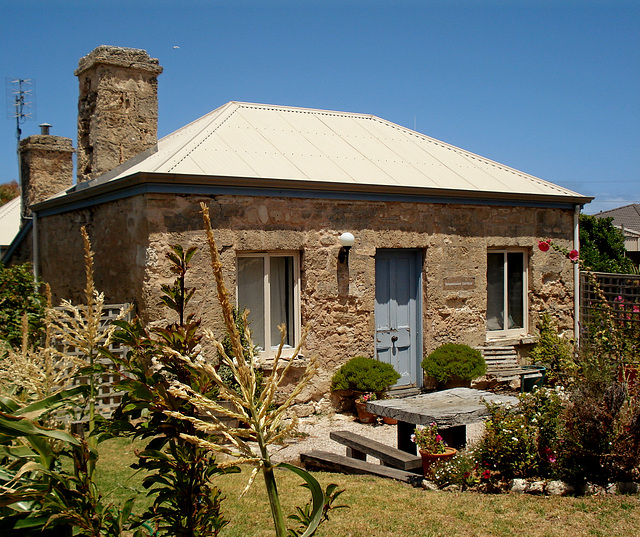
(81, 327)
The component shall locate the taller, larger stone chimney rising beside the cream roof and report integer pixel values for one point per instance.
(117, 108)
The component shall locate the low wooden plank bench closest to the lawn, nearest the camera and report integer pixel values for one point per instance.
(332, 462)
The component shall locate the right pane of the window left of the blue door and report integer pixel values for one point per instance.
(281, 291)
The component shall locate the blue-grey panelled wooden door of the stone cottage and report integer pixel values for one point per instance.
(397, 313)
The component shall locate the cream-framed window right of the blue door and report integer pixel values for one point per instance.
(507, 290)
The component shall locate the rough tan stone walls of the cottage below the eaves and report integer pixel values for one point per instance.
(131, 238)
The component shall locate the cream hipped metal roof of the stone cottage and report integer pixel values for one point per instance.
(305, 145)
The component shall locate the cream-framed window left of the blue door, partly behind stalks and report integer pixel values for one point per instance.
(268, 285)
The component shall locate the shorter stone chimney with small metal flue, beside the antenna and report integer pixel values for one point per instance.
(46, 168)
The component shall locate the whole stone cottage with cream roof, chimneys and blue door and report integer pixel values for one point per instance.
(444, 241)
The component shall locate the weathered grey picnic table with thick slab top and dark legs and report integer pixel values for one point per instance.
(452, 410)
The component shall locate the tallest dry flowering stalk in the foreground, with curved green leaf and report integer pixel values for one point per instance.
(264, 423)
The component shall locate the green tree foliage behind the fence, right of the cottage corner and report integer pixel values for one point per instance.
(602, 246)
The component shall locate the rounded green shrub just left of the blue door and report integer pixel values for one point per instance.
(365, 375)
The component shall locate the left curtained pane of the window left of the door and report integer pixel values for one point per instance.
(251, 295)
